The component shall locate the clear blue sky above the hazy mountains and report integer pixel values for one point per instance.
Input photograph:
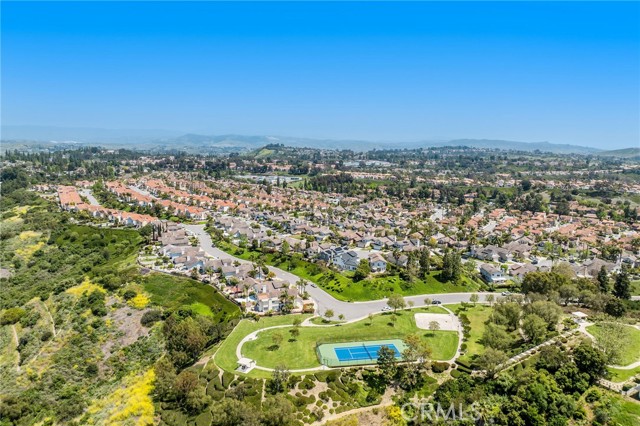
(561, 72)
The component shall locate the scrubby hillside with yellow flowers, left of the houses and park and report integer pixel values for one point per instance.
(81, 329)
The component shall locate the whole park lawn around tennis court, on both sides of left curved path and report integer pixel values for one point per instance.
(300, 352)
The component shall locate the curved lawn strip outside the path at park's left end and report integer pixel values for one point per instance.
(225, 357)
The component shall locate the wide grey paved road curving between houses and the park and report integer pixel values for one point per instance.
(323, 299)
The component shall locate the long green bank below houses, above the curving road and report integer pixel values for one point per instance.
(341, 285)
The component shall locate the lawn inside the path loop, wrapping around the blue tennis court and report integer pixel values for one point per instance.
(300, 353)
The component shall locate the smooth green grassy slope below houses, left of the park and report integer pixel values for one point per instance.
(174, 292)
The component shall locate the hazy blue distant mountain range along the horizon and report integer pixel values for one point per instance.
(162, 140)
